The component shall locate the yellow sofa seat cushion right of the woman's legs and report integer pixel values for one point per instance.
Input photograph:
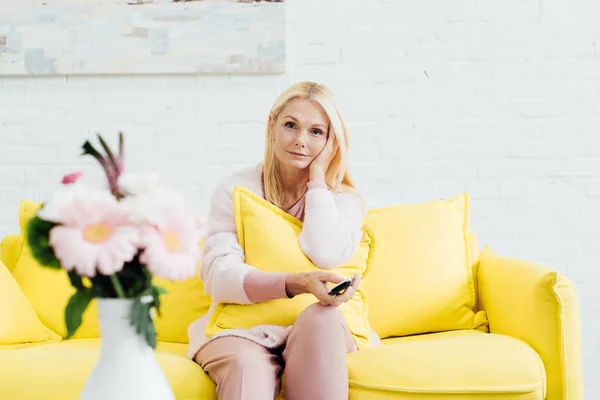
(454, 365)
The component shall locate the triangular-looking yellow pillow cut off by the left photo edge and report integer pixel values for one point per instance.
(19, 325)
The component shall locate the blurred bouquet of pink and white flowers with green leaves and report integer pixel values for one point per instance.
(113, 238)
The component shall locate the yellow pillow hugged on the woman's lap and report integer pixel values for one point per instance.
(269, 237)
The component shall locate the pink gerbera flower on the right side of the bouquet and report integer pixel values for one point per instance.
(172, 248)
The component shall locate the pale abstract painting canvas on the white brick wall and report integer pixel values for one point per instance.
(95, 37)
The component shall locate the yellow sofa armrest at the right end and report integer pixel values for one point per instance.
(533, 303)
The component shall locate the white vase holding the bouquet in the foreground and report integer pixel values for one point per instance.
(126, 368)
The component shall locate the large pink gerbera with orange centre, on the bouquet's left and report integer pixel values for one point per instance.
(94, 237)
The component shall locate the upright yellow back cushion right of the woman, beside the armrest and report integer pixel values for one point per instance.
(421, 277)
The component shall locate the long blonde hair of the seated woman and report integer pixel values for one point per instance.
(337, 176)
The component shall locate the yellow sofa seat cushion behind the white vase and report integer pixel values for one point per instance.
(58, 371)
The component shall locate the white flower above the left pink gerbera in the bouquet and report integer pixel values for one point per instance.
(57, 209)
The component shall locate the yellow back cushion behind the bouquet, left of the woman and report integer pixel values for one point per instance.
(49, 290)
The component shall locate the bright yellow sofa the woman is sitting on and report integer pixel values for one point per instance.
(503, 329)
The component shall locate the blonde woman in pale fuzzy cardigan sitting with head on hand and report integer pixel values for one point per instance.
(304, 173)
